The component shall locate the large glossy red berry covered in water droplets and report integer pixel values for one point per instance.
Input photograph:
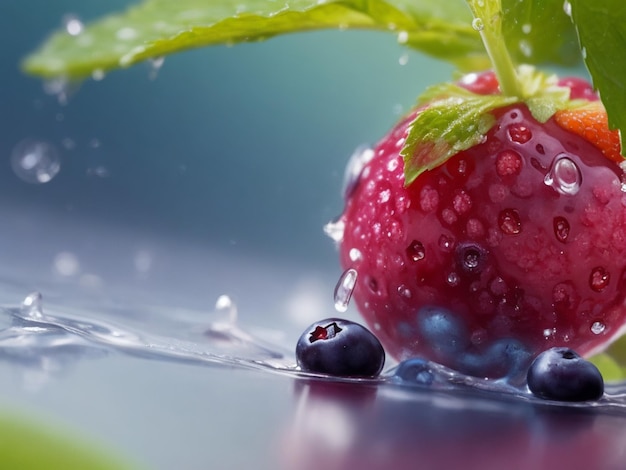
(521, 238)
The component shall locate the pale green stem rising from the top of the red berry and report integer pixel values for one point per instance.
(488, 21)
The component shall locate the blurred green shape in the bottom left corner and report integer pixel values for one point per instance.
(25, 444)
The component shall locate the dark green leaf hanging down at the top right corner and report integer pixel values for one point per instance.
(601, 26)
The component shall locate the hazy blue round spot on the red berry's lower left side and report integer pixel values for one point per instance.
(443, 330)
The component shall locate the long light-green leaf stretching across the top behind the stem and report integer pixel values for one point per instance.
(155, 28)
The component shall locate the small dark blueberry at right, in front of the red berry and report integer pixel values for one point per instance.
(561, 374)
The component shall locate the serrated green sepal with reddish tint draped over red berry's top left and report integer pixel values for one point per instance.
(455, 122)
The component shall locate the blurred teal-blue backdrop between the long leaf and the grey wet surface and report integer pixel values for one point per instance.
(241, 148)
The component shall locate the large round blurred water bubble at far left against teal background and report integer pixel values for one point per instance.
(35, 161)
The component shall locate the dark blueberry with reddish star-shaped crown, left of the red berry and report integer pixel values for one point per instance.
(341, 348)
